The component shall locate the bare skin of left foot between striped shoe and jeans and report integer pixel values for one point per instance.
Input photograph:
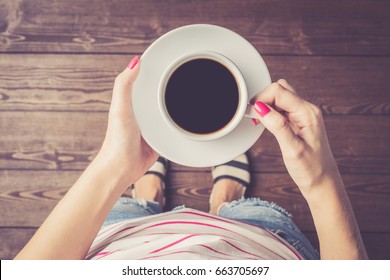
(150, 188)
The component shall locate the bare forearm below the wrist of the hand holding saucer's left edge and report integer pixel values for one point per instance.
(73, 224)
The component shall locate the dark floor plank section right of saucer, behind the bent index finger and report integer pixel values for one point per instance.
(338, 85)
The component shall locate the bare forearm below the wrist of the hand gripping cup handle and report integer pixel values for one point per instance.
(335, 222)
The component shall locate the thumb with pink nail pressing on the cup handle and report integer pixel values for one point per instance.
(278, 125)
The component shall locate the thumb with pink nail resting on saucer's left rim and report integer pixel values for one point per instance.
(123, 83)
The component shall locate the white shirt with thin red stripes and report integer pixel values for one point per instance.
(188, 234)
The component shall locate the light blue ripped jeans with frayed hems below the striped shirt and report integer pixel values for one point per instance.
(252, 211)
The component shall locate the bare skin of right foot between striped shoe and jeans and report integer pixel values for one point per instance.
(225, 190)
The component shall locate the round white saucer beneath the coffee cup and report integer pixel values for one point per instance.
(159, 135)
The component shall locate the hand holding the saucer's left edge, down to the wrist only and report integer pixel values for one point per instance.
(123, 145)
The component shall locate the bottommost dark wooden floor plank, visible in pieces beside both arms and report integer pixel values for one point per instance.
(12, 240)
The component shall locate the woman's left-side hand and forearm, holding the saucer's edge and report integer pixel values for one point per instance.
(123, 158)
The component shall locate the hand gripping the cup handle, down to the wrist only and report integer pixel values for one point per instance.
(299, 129)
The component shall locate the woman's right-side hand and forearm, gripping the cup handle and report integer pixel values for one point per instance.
(300, 132)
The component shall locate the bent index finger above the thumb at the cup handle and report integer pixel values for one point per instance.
(280, 97)
